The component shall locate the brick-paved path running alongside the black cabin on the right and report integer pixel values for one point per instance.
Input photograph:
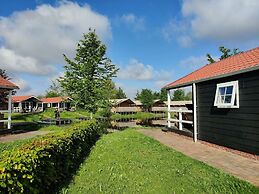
(239, 166)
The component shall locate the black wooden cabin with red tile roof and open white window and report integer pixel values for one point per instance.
(227, 101)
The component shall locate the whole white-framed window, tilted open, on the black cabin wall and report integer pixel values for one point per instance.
(227, 95)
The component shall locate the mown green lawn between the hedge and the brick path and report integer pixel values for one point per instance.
(129, 162)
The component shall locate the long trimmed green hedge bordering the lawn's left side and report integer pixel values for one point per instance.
(44, 164)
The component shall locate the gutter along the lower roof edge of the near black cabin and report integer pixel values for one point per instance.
(254, 68)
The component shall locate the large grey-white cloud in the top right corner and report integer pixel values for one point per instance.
(220, 20)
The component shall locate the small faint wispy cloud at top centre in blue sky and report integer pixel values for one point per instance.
(134, 22)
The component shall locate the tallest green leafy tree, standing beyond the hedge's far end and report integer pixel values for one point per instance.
(87, 75)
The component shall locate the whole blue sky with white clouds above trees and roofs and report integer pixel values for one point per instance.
(152, 42)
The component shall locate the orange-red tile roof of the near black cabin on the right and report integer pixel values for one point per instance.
(242, 62)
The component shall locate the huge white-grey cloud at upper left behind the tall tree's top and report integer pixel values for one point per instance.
(34, 40)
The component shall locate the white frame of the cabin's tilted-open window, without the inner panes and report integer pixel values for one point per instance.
(234, 97)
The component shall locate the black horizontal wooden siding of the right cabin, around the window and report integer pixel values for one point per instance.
(235, 128)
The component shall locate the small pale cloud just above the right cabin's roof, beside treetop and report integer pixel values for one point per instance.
(193, 62)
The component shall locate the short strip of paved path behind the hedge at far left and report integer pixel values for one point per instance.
(14, 137)
